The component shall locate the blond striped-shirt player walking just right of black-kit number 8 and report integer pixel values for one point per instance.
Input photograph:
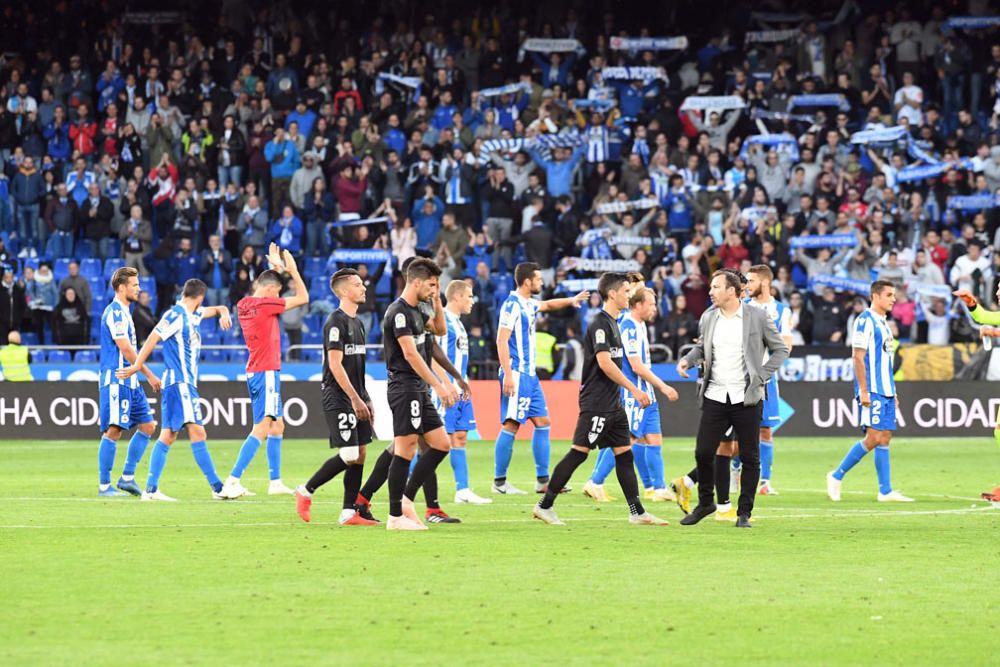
(459, 418)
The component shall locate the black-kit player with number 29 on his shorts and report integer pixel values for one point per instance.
(346, 404)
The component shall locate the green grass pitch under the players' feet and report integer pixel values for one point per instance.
(88, 581)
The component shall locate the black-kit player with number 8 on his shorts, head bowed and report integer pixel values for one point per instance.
(407, 348)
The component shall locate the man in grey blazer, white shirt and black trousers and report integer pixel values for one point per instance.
(732, 342)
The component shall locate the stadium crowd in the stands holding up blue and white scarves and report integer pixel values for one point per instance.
(833, 144)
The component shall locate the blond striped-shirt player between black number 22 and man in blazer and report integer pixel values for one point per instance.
(644, 423)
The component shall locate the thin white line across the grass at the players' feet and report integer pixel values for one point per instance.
(525, 520)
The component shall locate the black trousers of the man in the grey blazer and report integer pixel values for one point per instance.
(716, 417)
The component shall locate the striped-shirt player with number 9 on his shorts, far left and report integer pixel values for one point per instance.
(123, 404)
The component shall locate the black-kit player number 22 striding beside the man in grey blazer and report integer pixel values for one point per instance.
(603, 422)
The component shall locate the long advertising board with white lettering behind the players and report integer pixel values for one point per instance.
(69, 410)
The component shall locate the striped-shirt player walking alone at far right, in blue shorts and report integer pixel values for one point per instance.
(875, 391)
